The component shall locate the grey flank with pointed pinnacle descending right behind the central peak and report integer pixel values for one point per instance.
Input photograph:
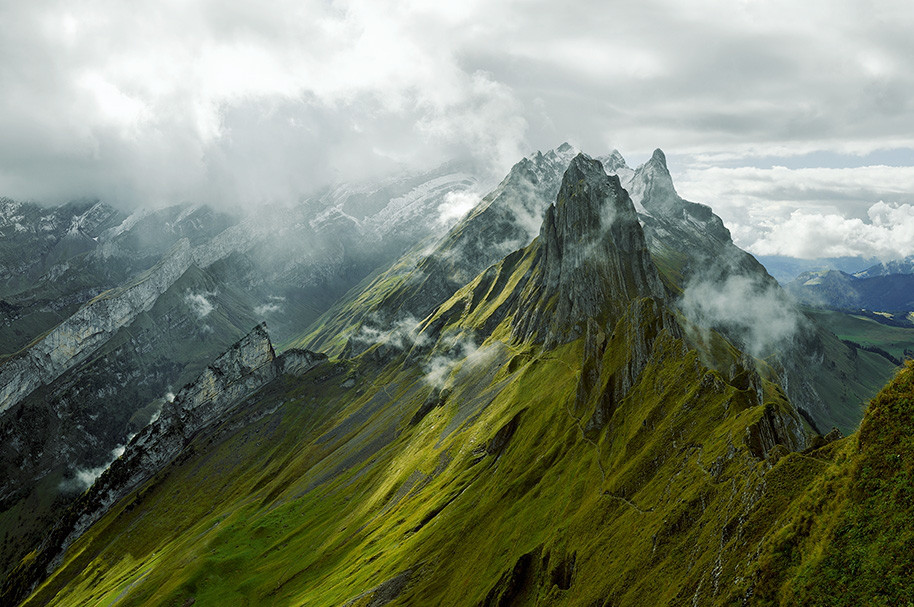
(727, 290)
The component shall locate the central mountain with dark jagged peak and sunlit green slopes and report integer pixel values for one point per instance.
(557, 385)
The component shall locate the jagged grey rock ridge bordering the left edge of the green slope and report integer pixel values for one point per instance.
(243, 369)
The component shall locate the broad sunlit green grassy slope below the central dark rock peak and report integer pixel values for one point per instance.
(336, 492)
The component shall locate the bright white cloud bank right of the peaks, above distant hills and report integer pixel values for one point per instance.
(810, 212)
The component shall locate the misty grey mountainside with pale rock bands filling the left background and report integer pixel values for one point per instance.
(101, 333)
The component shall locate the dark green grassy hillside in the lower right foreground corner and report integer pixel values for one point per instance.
(848, 540)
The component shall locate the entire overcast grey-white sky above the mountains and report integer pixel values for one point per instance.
(793, 120)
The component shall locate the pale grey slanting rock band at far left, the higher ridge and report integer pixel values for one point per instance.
(75, 339)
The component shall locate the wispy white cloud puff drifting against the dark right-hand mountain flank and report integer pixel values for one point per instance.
(755, 314)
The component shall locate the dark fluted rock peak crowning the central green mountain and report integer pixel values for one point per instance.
(593, 258)
